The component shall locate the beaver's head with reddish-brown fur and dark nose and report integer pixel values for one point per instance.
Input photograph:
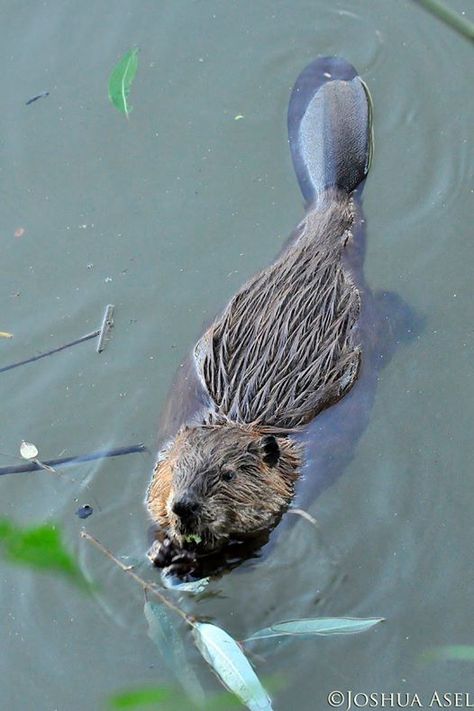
(212, 484)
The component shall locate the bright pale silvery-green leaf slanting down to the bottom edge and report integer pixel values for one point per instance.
(231, 665)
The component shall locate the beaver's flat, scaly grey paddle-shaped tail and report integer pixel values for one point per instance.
(329, 127)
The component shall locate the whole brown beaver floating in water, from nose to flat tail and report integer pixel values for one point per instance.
(287, 347)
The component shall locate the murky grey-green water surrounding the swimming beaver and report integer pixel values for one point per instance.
(165, 216)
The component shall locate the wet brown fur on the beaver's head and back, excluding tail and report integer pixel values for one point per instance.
(284, 349)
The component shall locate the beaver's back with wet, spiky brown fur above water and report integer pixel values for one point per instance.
(285, 348)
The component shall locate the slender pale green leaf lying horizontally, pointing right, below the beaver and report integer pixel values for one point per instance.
(319, 625)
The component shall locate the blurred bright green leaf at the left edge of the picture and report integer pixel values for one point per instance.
(40, 547)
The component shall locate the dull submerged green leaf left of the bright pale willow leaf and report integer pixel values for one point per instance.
(162, 630)
